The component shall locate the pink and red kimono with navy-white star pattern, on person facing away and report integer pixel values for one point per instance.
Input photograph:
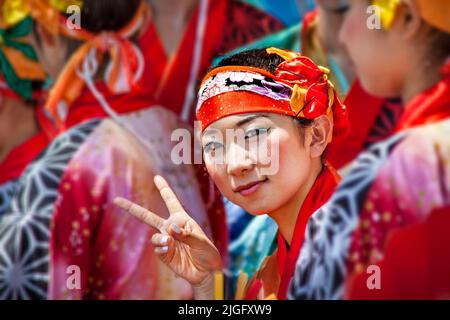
(62, 238)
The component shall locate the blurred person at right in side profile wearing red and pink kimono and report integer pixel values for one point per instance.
(390, 215)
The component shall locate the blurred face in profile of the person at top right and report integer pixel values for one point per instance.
(381, 58)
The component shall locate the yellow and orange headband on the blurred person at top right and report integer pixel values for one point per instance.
(434, 12)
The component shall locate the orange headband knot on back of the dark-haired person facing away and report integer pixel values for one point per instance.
(121, 74)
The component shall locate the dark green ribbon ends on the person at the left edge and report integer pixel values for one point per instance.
(8, 38)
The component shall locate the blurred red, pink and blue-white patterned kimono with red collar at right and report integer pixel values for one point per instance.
(396, 190)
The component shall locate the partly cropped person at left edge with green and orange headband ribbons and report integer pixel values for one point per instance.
(22, 133)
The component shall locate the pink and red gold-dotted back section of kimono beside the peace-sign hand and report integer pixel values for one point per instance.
(110, 246)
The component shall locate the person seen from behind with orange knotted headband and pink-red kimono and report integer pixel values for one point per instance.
(61, 237)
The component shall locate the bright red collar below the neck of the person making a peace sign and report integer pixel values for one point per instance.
(276, 271)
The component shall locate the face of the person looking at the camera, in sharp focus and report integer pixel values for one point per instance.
(246, 178)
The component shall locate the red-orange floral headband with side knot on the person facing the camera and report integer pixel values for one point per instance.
(299, 88)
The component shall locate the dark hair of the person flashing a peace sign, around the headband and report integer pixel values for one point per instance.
(259, 58)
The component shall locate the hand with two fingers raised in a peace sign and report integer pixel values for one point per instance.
(180, 242)
